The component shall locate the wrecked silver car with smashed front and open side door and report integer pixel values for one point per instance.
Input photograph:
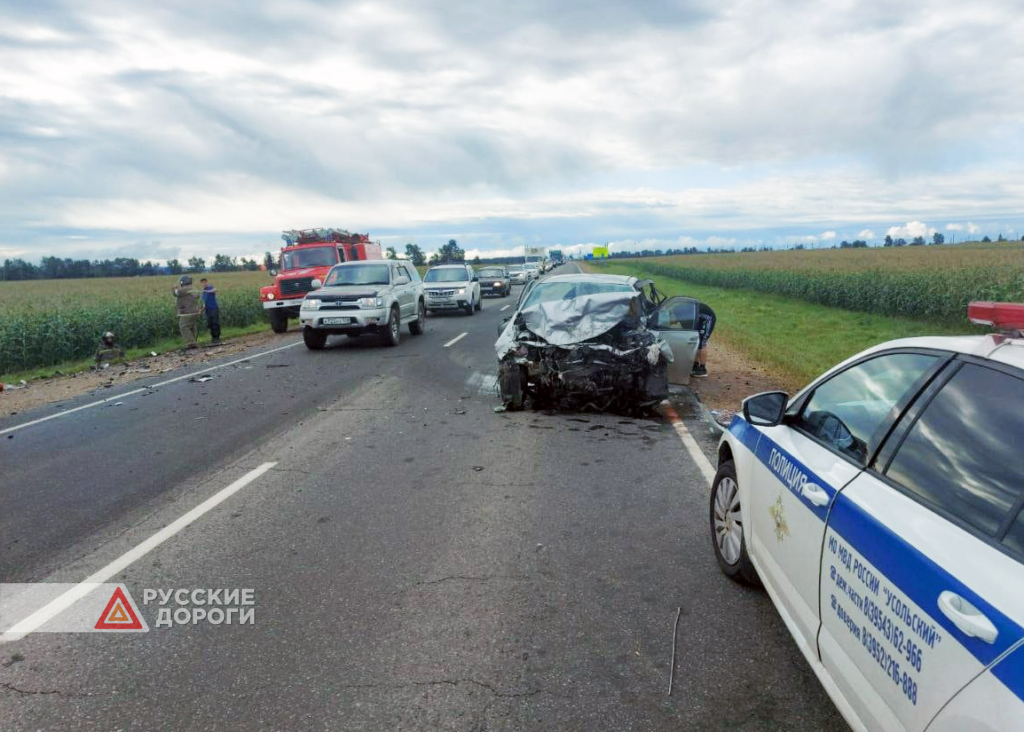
(595, 343)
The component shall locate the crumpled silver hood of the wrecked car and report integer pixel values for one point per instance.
(565, 323)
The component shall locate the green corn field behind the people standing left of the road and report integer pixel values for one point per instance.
(51, 322)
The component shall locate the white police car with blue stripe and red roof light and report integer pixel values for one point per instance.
(882, 509)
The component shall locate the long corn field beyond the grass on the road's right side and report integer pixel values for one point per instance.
(930, 283)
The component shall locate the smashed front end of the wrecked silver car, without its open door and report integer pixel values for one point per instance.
(588, 352)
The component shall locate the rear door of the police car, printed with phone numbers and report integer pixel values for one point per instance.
(922, 582)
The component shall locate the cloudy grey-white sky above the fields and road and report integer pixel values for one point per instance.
(198, 127)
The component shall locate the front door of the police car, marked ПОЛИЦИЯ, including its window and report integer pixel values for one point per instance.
(820, 448)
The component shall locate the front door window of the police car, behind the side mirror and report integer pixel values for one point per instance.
(848, 409)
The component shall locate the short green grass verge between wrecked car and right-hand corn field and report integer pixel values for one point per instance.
(797, 340)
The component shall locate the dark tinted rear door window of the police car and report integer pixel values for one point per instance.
(963, 455)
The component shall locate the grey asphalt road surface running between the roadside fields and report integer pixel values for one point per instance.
(419, 562)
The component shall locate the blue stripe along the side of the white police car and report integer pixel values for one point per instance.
(909, 570)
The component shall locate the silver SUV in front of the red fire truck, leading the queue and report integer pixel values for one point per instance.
(368, 297)
